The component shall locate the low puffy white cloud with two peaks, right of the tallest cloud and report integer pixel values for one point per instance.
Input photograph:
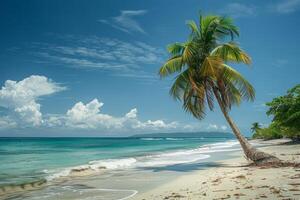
(89, 116)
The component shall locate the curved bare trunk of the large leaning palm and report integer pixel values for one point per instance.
(258, 157)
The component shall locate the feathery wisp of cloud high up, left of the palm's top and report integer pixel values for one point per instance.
(126, 21)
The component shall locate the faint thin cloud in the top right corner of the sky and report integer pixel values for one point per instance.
(287, 6)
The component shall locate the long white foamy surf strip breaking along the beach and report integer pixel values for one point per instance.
(153, 160)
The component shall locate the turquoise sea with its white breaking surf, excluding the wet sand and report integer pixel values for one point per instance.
(24, 160)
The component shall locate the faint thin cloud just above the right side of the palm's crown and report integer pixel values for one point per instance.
(238, 10)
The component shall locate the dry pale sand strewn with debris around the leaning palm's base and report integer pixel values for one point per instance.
(232, 181)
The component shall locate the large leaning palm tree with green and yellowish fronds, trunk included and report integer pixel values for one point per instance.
(203, 74)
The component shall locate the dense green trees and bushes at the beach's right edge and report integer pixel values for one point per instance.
(285, 111)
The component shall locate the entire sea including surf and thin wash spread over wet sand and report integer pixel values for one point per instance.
(47, 163)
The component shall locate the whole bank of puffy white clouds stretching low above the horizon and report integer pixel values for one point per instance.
(22, 110)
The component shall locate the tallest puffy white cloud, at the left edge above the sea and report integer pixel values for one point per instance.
(21, 97)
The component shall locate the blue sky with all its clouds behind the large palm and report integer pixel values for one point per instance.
(89, 68)
